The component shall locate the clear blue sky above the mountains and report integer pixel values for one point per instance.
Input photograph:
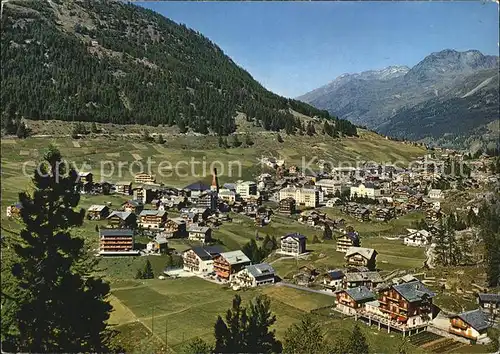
(294, 47)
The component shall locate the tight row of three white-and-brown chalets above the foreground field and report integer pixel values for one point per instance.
(232, 267)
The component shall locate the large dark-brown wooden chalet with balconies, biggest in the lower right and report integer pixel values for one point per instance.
(408, 303)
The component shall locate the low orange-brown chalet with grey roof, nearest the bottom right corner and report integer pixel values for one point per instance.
(472, 325)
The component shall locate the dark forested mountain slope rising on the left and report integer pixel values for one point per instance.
(108, 61)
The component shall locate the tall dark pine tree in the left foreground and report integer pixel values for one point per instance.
(57, 305)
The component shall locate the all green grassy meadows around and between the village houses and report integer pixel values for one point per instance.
(186, 308)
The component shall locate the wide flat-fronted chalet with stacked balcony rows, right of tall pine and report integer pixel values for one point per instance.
(116, 242)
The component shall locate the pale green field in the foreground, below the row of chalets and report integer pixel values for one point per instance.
(187, 308)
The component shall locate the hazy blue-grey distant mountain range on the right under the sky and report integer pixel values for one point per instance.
(449, 97)
